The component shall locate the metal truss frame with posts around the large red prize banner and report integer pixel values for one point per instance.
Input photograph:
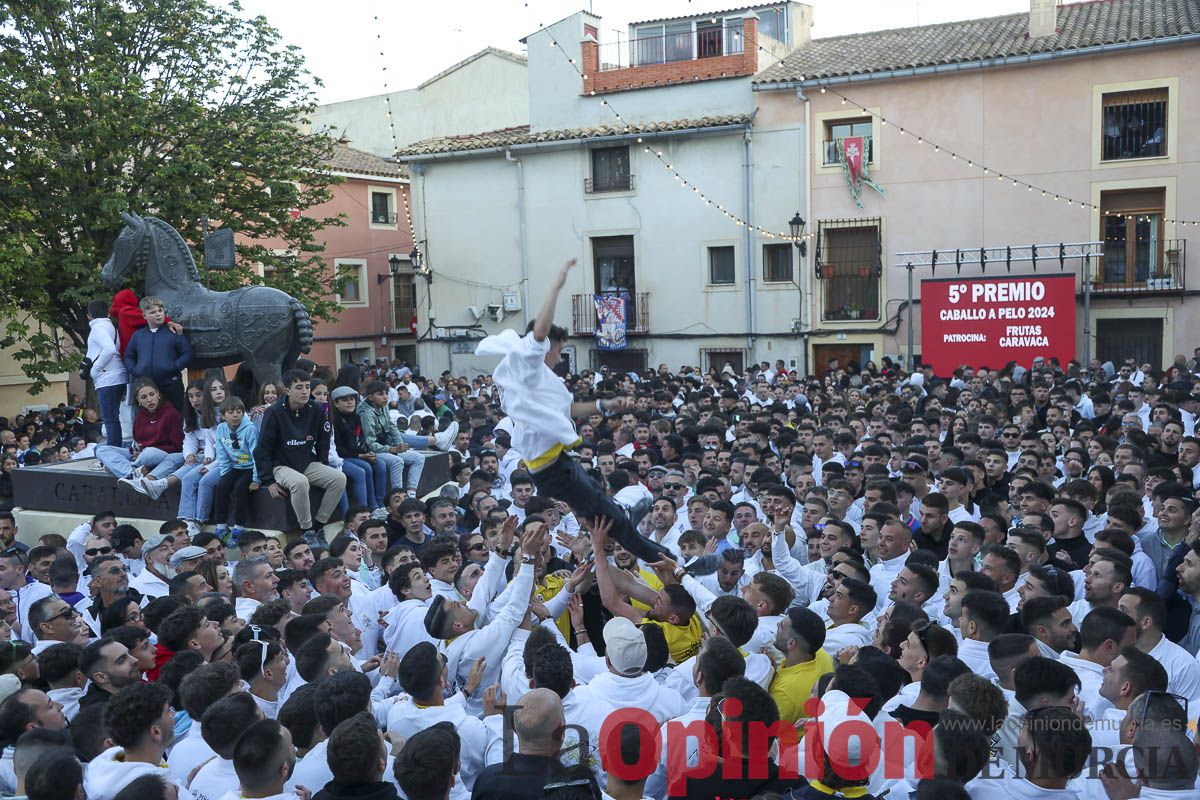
(1051, 256)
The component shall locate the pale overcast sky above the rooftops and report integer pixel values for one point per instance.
(421, 39)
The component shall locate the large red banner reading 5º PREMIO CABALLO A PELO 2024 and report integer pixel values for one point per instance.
(991, 322)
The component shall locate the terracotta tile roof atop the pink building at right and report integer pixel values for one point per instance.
(1081, 26)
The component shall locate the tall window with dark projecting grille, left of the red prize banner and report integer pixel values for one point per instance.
(849, 258)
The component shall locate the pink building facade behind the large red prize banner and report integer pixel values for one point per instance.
(1091, 103)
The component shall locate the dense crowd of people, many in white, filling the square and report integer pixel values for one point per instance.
(671, 585)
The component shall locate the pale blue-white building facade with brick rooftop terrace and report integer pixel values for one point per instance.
(644, 159)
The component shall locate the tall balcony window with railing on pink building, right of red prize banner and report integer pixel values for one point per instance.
(1133, 238)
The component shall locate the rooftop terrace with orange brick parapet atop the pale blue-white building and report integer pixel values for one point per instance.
(686, 57)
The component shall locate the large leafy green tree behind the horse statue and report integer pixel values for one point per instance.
(172, 109)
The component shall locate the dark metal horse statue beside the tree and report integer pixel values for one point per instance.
(261, 327)
